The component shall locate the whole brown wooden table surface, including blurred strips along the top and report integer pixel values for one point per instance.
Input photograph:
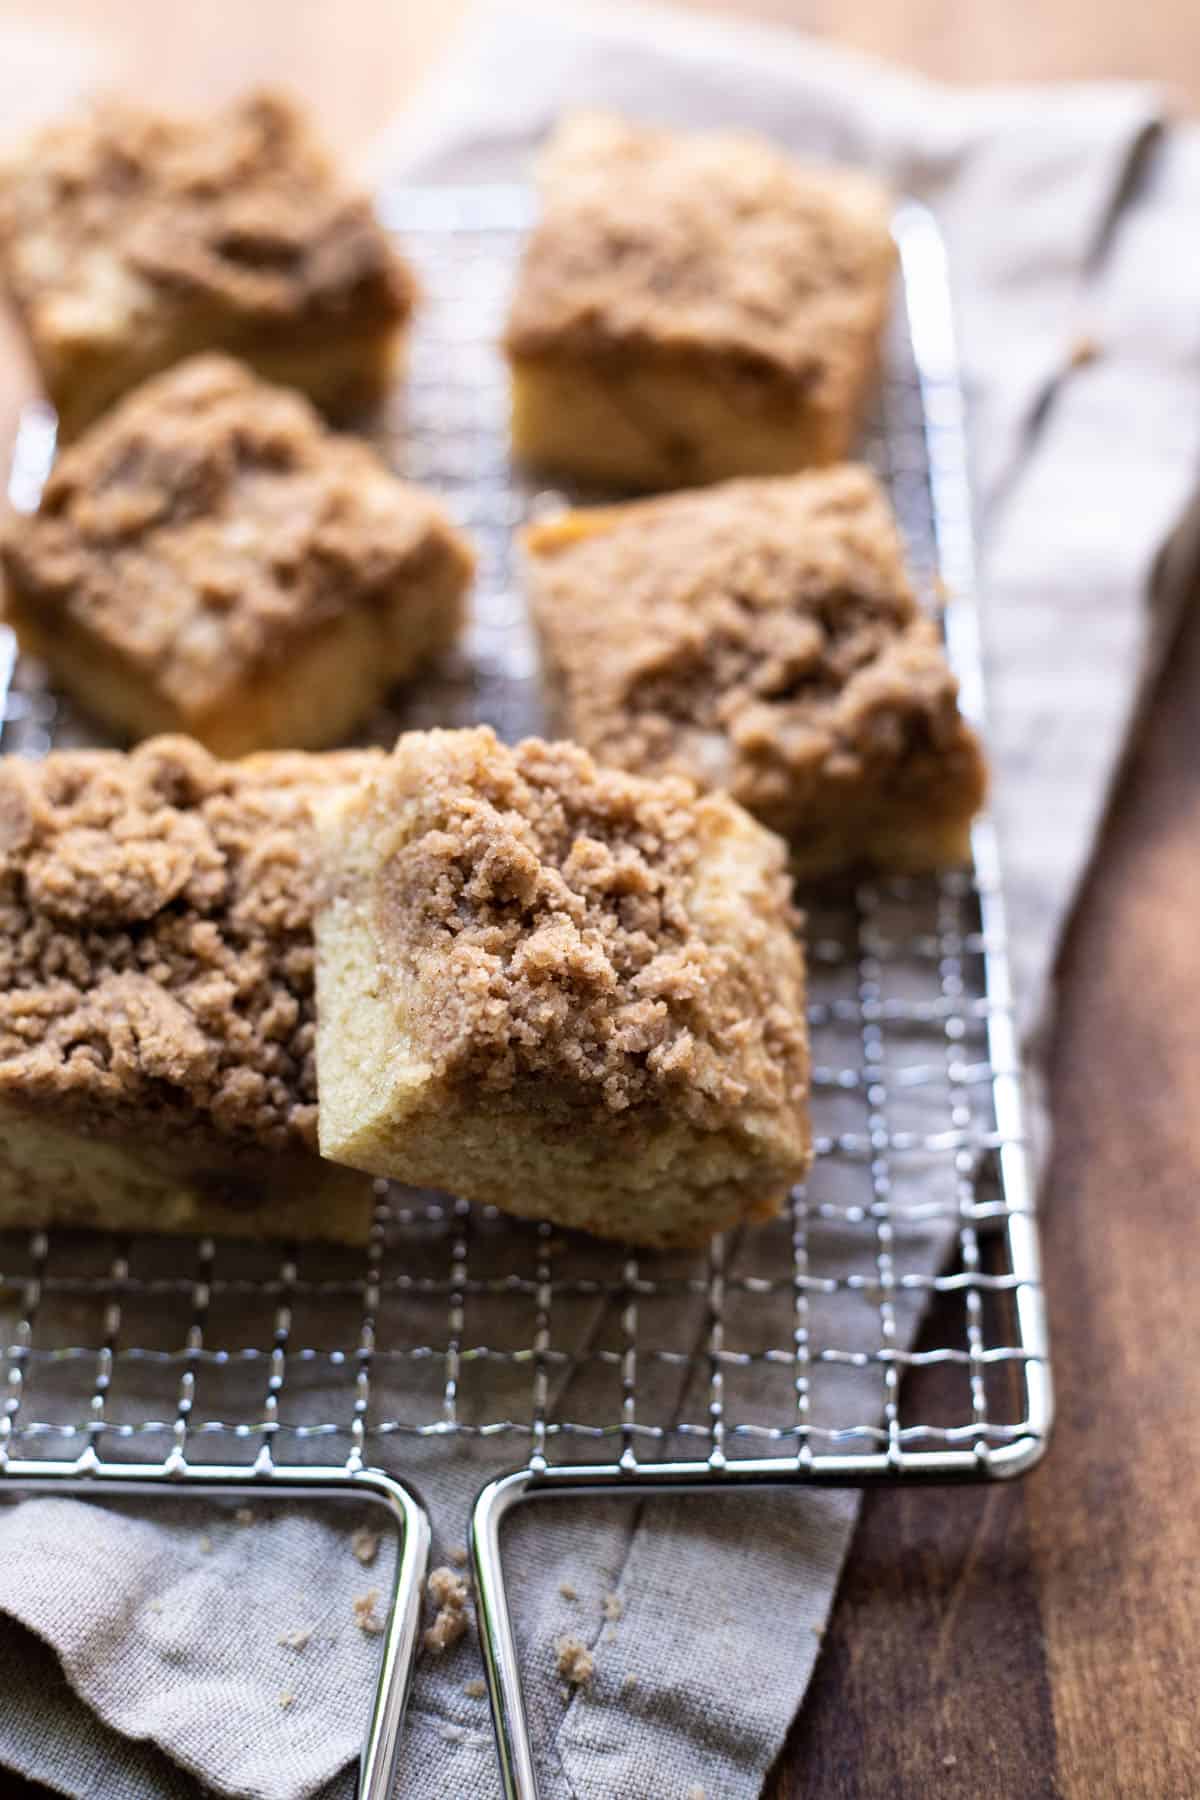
(1016, 1642)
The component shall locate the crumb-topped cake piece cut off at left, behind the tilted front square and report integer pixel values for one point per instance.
(157, 994)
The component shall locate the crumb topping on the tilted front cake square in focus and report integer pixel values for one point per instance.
(548, 913)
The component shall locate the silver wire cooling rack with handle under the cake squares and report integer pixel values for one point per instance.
(778, 1356)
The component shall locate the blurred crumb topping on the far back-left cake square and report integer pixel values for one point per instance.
(120, 213)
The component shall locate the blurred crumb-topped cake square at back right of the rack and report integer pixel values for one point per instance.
(695, 307)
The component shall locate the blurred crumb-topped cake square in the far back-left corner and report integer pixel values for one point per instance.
(130, 240)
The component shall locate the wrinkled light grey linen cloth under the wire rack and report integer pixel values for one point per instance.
(1061, 208)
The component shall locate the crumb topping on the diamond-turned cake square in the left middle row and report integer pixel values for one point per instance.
(210, 523)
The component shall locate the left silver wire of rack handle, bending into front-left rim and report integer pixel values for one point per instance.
(93, 1479)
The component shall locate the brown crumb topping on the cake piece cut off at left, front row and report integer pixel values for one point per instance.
(156, 937)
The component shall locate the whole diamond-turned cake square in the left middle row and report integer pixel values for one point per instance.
(211, 561)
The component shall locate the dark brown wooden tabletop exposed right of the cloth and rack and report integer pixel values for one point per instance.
(1048, 1637)
